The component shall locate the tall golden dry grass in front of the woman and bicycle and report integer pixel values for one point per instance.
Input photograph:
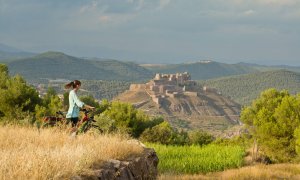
(26, 153)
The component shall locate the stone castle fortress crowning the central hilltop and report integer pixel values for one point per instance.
(167, 85)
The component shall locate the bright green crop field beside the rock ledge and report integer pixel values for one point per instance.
(197, 159)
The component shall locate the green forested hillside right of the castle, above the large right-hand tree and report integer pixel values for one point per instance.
(245, 88)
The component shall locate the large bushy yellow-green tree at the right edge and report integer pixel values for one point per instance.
(272, 119)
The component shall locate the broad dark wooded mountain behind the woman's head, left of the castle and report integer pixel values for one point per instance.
(56, 65)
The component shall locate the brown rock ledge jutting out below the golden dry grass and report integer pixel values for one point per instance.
(135, 168)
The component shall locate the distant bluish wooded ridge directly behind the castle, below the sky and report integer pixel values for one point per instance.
(203, 69)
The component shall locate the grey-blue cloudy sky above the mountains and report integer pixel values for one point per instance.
(157, 31)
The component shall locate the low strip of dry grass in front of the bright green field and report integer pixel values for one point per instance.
(277, 171)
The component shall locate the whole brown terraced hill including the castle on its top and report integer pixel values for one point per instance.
(191, 108)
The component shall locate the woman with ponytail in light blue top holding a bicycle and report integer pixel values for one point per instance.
(74, 103)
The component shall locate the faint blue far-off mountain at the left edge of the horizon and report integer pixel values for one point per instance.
(8, 53)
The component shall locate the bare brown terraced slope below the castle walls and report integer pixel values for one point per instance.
(209, 111)
